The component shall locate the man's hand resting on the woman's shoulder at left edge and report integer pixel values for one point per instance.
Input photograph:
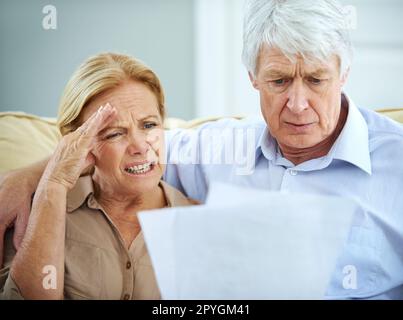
(16, 189)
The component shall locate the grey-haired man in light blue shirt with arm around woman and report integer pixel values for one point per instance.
(313, 139)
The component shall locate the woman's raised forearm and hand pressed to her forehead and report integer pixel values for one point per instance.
(38, 267)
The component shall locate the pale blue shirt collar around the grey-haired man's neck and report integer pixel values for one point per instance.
(351, 146)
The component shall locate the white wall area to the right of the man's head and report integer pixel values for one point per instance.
(376, 79)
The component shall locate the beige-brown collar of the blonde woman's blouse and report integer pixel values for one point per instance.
(84, 191)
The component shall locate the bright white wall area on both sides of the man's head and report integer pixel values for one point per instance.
(222, 84)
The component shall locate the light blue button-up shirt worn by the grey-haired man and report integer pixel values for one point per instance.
(365, 164)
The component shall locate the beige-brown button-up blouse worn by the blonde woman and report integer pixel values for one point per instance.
(97, 263)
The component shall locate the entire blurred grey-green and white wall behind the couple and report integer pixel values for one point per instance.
(193, 45)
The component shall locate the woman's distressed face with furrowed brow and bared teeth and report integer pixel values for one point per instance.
(130, 150)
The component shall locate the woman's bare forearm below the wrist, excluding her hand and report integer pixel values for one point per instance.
(38, 267)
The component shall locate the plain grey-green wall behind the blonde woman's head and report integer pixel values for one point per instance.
(35, 64)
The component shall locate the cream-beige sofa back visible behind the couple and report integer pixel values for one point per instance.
(26, 138)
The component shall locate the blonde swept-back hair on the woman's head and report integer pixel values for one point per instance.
(97, 75)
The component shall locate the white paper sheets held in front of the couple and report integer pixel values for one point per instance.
(248, 244)
